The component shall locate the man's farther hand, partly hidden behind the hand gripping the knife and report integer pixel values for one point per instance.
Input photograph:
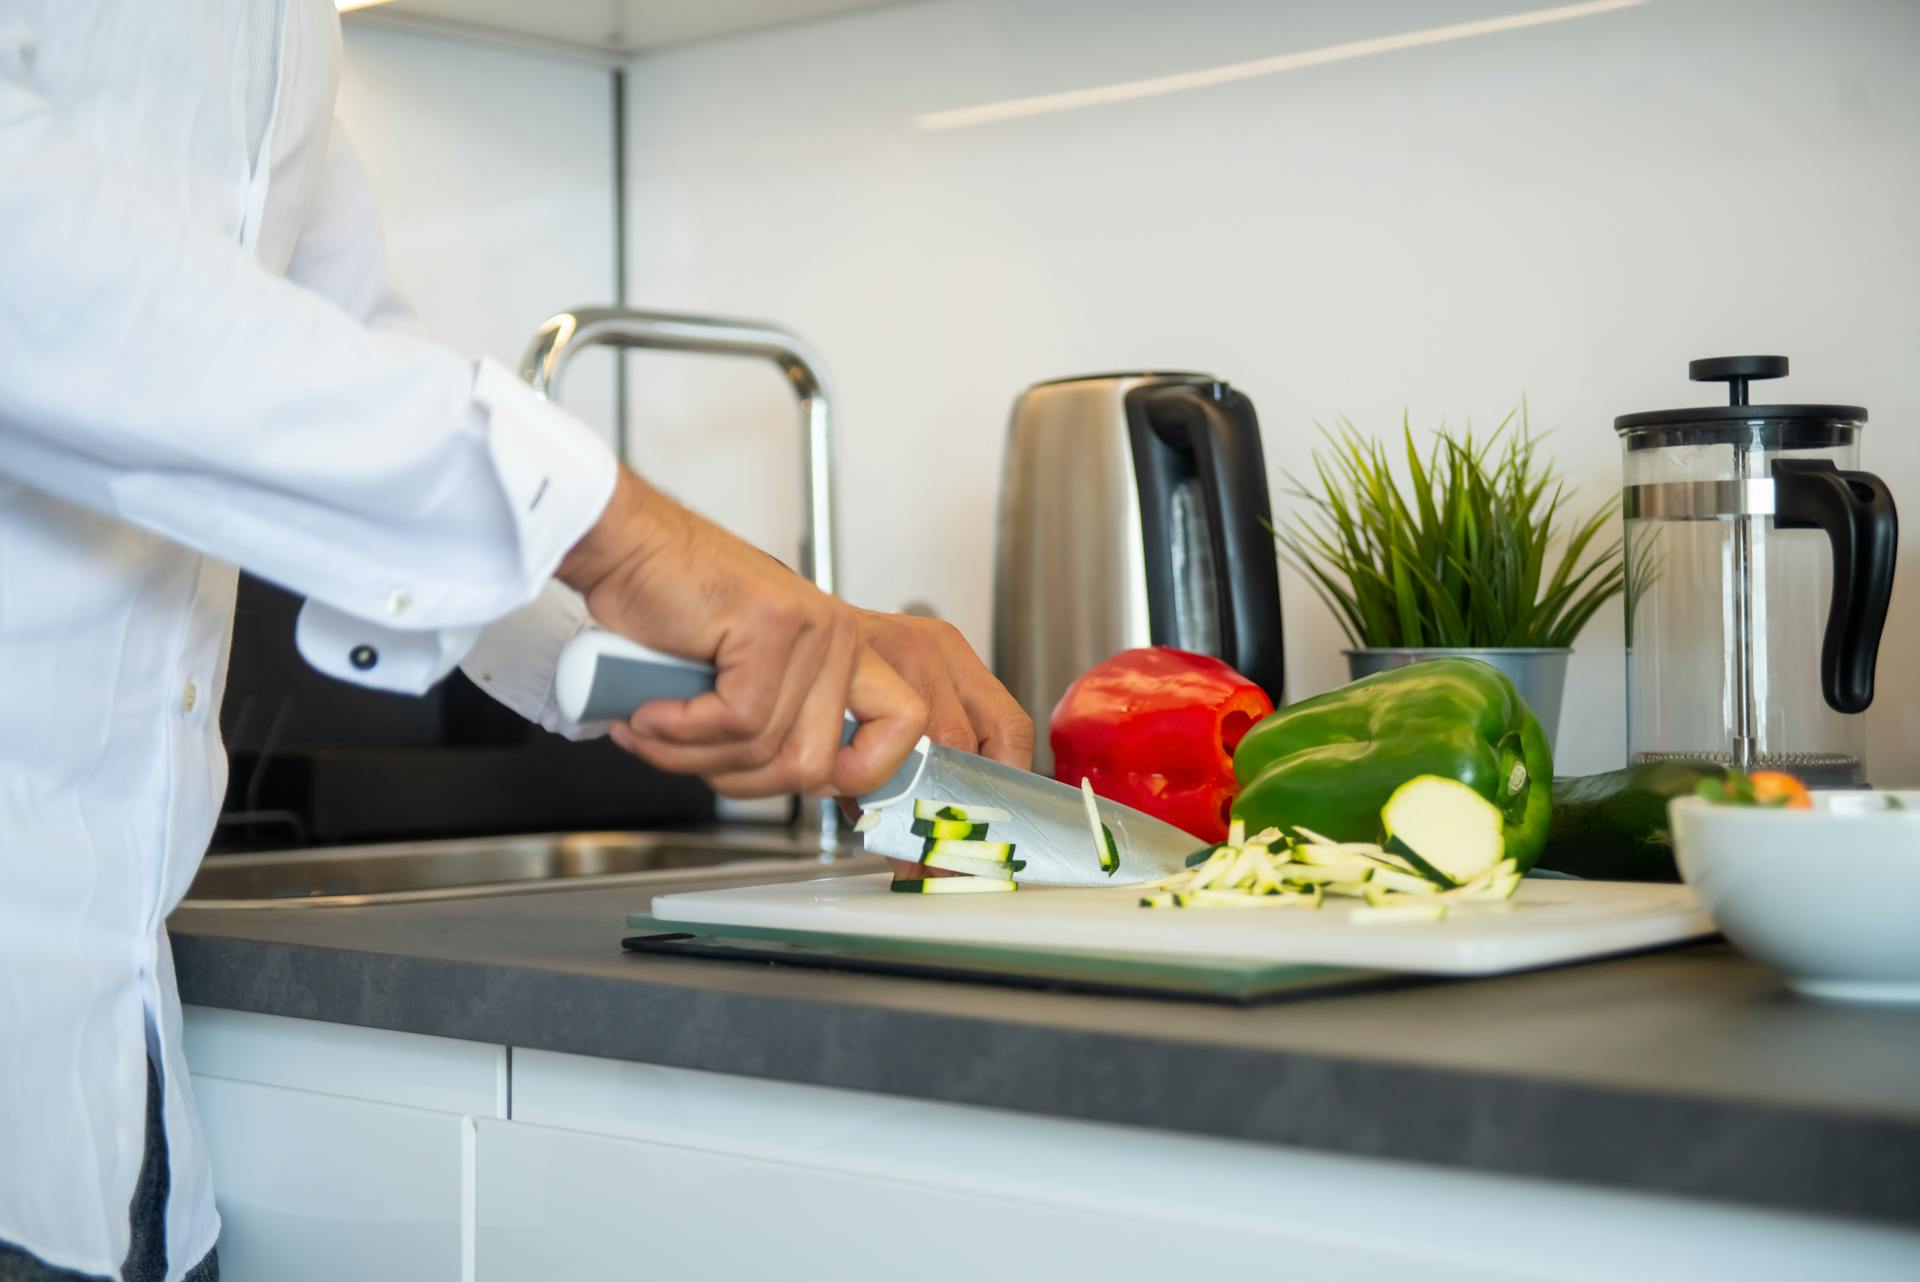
(969, 709)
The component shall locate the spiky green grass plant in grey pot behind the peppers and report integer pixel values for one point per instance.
(1456, 565)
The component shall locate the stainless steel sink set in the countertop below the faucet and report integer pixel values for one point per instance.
(462, 868)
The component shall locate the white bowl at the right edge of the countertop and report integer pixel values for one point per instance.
(1829, 897)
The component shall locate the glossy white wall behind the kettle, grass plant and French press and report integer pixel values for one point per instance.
(1570, 212)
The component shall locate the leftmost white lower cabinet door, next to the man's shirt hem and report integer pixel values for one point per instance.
(322, 1189)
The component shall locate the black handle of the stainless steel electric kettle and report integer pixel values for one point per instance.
(1216, 429)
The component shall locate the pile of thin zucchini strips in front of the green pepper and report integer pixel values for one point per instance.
(1308, 870)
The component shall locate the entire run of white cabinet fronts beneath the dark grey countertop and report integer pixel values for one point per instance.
(360, 1154)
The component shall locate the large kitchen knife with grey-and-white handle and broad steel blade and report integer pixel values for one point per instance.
(604, 678)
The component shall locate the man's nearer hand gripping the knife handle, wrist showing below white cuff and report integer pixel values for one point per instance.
(790, 659)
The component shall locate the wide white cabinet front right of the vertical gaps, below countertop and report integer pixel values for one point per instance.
(613, 1166)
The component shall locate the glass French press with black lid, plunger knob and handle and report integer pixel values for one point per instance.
(1760, 563)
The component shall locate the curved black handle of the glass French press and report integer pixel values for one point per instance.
(1860, 519)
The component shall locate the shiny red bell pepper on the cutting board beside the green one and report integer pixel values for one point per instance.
(1155, 730)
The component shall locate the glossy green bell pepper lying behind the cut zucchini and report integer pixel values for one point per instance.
(1330, 763)
